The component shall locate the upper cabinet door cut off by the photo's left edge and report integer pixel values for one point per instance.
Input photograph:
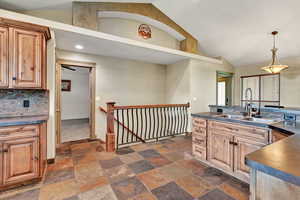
(3, 57)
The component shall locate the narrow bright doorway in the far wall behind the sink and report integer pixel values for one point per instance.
(224, 88)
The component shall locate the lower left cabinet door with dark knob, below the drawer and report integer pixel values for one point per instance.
(20, 160)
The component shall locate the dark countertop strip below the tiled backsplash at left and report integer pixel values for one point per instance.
(23, 120)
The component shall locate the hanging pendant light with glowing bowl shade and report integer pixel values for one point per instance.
(274, 66)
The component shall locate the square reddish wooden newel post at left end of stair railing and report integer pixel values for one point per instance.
(110, 133)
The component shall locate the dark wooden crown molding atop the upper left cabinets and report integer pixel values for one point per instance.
(24, 25)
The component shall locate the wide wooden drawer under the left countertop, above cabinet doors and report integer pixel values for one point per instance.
(14, 132)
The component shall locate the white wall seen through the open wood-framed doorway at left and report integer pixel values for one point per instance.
(75, 104)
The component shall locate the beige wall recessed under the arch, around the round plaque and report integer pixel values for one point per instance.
(129, 29)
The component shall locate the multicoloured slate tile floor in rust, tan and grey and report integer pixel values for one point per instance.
(155, 171)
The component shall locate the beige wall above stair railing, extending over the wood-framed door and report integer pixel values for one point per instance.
(126, 82)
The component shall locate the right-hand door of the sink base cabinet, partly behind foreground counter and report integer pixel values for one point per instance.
(244, 146)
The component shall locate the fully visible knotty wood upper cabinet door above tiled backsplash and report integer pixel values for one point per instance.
(26, 58)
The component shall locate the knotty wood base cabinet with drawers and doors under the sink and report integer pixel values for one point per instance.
(224, 145)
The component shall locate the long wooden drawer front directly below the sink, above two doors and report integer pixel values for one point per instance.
(259, 134)
